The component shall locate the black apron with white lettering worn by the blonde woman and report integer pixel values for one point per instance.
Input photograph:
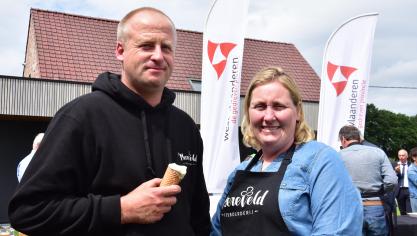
(251, 207)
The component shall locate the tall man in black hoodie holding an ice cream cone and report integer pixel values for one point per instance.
(103, 152)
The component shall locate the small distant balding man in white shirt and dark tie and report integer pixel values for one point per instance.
(402, 191)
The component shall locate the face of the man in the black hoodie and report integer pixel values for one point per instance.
(147, 53)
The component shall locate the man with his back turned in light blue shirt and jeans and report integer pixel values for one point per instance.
(373, 175)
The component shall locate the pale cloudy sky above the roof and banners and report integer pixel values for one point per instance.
(306, 24)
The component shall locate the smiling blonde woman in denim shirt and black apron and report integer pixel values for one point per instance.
(293, 185)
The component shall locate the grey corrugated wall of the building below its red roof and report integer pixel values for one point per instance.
(32, 97)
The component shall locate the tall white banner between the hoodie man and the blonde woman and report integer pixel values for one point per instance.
(223, 43)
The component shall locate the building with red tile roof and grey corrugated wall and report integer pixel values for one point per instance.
(65, 53)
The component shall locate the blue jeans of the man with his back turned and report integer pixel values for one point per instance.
(374, 222)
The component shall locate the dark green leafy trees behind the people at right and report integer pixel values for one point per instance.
(390, 131)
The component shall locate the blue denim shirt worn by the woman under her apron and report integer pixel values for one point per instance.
(316, 196)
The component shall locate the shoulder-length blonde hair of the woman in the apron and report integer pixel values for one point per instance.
(303, 132)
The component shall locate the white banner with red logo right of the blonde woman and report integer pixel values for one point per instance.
(345, 78)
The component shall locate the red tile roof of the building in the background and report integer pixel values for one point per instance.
(78, 48)
